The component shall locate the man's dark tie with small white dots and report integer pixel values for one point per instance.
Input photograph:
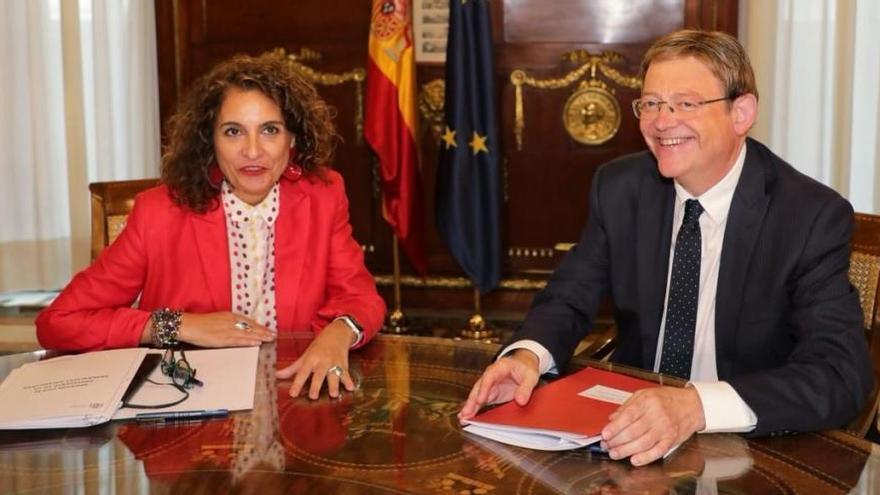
(684, 288)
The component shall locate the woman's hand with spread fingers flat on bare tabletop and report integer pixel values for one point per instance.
(328, 351)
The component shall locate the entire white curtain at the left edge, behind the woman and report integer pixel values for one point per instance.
(79, 97)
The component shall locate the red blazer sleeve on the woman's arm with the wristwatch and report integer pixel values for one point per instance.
(350, 288)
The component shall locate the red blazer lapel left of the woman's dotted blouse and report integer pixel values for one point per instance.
(213, 246)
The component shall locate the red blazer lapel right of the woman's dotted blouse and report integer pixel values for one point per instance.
(291, 239)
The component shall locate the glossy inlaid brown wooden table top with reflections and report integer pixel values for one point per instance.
(398, 433)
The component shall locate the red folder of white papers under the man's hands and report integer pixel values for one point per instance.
(566, 414)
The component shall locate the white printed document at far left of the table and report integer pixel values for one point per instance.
(68, 391)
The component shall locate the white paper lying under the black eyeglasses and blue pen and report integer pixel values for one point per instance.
(229, 376)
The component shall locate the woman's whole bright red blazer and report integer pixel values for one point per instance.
(172, 257)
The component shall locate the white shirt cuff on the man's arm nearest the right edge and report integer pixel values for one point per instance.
(723, 408)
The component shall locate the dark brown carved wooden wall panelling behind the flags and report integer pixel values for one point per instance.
(545, 183)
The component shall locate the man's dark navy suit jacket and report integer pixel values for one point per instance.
(788, 326)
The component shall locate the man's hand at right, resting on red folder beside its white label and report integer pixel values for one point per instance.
(652, 422)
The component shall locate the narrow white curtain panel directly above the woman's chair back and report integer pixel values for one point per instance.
(121, 88)
